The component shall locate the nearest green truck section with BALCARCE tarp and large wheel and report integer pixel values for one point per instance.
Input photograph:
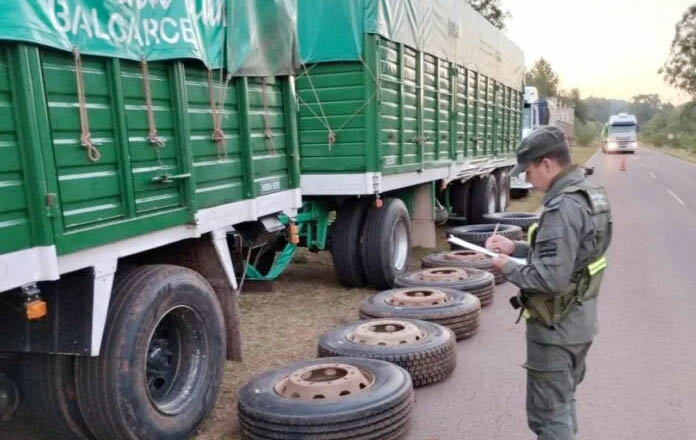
(134, 138)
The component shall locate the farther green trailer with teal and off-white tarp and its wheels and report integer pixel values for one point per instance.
(405, 107)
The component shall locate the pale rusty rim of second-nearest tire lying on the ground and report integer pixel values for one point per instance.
(387, 333)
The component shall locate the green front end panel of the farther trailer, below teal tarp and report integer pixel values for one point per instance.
(340, 89)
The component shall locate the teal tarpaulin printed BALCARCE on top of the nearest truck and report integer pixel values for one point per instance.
(248, 37)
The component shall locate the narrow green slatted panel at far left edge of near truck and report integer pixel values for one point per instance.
(15, 228)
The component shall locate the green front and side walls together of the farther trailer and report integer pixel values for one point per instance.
(426, 112)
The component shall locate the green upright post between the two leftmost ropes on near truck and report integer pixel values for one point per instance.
(121, 135)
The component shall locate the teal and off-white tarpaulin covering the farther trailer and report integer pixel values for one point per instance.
(333, 30)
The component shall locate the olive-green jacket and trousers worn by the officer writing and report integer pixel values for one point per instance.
(564, 244)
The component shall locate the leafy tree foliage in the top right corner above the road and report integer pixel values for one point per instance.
(680, 69)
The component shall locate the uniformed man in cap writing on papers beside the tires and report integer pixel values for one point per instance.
(560, 282)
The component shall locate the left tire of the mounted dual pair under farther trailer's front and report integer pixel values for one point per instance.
(346, 236)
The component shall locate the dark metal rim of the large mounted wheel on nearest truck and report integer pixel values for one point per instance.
(176, 358)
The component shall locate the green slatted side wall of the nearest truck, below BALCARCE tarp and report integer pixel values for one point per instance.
(51, 192)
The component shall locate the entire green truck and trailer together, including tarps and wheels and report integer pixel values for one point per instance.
(147, 145)
